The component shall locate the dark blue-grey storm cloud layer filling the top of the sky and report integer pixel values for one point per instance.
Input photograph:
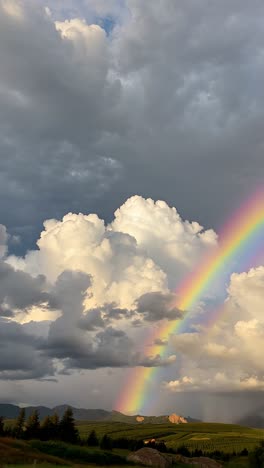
(74, 125)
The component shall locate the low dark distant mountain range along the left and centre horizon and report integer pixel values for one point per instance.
(11, 411)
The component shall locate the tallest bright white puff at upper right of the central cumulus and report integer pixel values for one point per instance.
(161, 232)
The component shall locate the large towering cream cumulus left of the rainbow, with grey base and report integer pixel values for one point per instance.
(99, 281)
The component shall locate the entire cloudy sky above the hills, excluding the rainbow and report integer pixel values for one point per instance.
(129, 132)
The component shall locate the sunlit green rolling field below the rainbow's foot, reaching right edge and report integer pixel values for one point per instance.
(208, 437)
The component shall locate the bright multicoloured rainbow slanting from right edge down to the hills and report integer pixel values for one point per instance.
(235, 238)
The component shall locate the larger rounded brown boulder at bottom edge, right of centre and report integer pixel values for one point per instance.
(150, 457)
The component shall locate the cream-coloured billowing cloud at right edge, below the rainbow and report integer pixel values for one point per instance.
(227, 357)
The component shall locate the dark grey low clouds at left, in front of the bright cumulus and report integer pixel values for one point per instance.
(79, 339)
